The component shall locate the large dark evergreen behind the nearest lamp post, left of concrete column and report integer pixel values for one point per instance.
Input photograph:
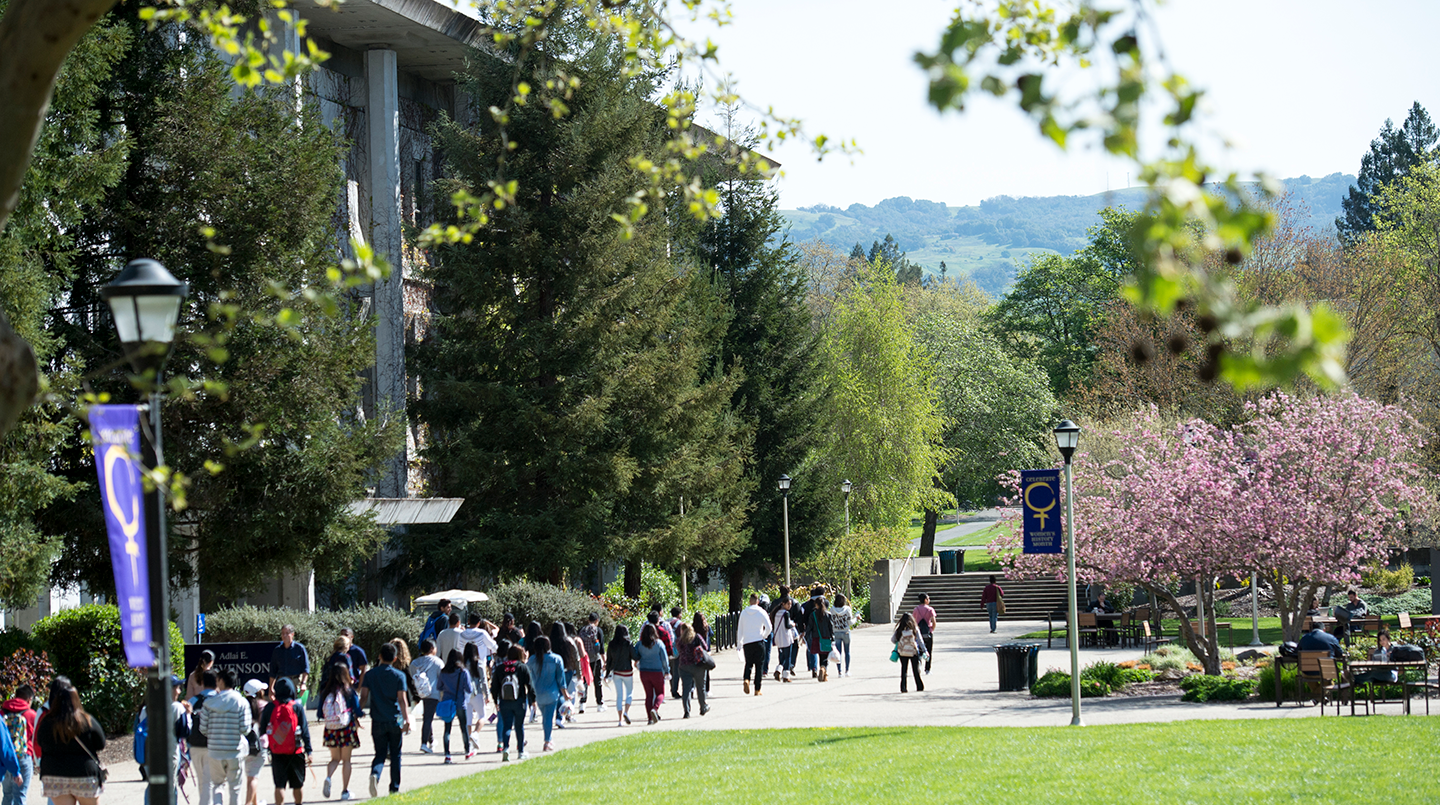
(266, 181)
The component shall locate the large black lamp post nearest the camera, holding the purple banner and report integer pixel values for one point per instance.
(145, 300)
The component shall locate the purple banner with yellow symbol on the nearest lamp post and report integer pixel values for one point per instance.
(116, 433)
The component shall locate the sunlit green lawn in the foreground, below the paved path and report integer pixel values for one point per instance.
(1300, 760)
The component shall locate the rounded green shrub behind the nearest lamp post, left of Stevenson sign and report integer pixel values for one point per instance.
(84, 646)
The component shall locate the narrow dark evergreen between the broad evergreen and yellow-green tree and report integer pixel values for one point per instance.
(773, 345)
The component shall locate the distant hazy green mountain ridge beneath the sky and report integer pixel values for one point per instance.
(986, 241)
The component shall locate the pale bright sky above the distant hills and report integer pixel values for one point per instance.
(1297, 87)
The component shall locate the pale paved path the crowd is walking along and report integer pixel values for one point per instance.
(963, 691)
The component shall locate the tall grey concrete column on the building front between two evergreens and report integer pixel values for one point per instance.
(384, 117)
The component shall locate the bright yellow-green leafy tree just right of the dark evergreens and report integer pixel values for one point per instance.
(882, 423)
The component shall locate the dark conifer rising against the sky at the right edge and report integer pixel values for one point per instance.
(1392, 156)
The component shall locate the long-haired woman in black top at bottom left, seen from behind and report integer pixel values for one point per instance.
(70, 741)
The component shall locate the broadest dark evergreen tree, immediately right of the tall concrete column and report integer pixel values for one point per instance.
(567, 388)
